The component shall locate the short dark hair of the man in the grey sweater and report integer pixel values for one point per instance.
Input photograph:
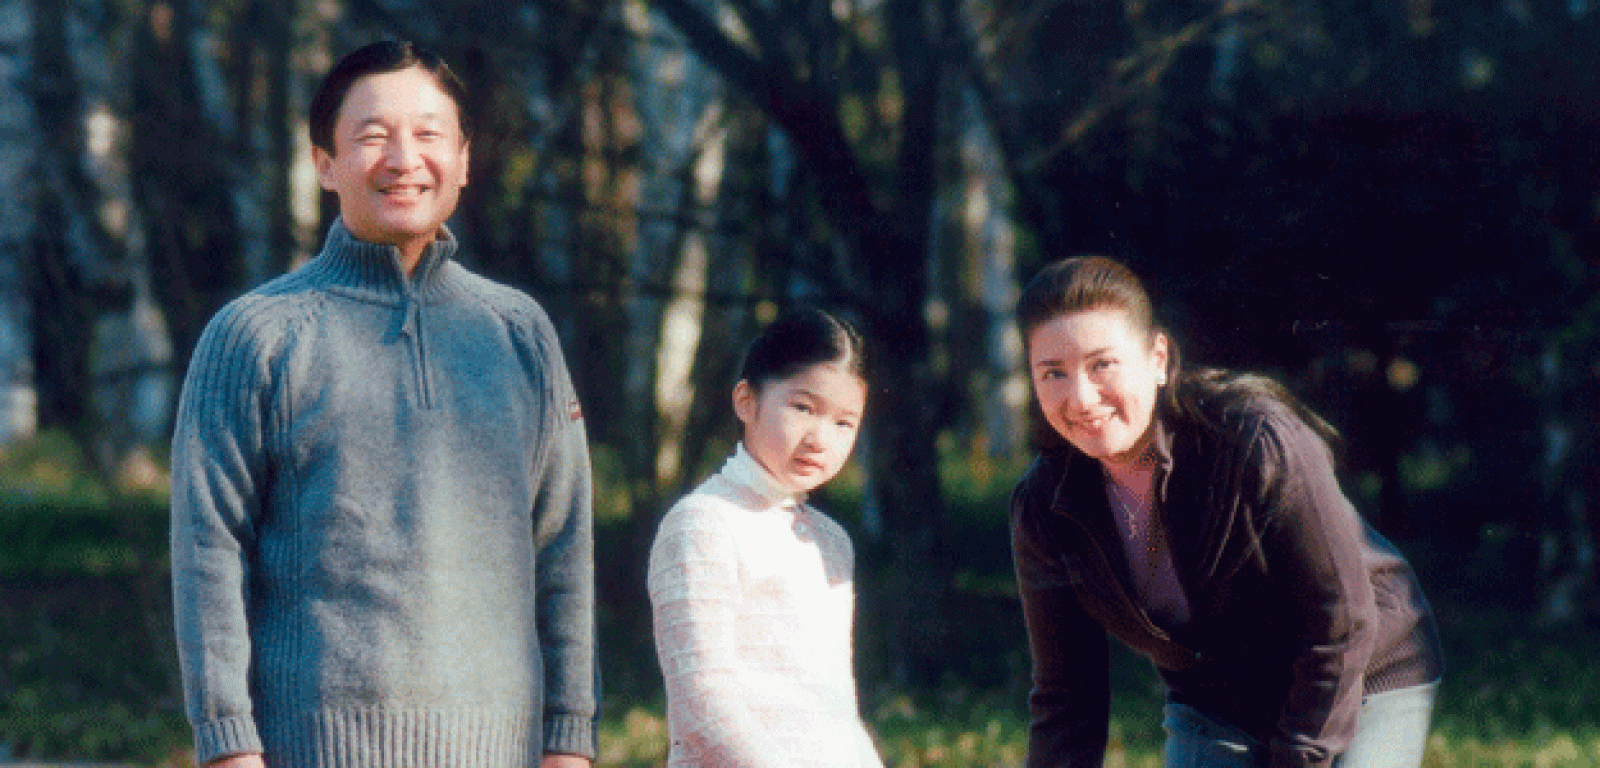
(372, 60)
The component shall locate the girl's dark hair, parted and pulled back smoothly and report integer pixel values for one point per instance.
(799, 340)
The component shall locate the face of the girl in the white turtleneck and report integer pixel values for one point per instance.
(802, 428)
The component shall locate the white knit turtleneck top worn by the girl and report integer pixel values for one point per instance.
(753, 602)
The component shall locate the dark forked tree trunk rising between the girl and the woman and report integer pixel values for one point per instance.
(857, 92)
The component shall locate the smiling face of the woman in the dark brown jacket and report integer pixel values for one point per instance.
(1097, 378)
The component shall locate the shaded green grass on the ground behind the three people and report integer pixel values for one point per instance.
(89, 673)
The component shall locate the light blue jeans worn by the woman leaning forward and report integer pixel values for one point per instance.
(1391, 732)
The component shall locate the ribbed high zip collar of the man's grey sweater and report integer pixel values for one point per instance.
(374, 273)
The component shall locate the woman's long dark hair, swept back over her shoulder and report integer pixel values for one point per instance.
(1201, 398)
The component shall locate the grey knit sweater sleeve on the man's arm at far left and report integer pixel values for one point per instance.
(218, 468)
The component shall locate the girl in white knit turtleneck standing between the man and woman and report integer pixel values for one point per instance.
(751, 586)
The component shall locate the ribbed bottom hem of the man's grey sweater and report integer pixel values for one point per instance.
(404, 738)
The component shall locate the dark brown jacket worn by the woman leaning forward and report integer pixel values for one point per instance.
(1298, 609)
